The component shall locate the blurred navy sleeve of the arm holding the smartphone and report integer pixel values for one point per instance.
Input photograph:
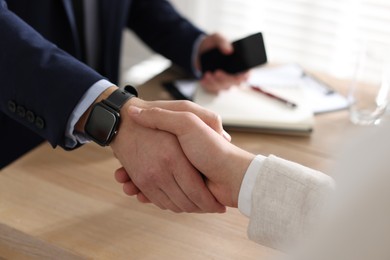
(158, 24)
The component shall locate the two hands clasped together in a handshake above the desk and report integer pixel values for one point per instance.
(177, 156)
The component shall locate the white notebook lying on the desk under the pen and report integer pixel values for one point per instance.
(242, 108)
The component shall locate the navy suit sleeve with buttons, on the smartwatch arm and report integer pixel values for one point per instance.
(38, 77)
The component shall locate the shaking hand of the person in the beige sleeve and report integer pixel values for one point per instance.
(222, 163)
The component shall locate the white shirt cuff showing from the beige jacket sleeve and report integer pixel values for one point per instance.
(247, 185)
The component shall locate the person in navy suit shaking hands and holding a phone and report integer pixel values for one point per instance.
(47, 90)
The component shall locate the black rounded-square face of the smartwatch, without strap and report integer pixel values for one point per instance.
(101, 124)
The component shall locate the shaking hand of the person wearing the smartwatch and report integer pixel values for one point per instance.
(156, 164)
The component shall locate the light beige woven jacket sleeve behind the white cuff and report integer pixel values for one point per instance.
(285, 201)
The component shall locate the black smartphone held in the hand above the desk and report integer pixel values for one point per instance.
(248, 52)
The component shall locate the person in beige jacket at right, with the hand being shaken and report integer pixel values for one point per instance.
(292, 208)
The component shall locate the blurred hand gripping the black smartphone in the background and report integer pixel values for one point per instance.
(218, 80)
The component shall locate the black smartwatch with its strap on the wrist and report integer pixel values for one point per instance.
(103, 121)
